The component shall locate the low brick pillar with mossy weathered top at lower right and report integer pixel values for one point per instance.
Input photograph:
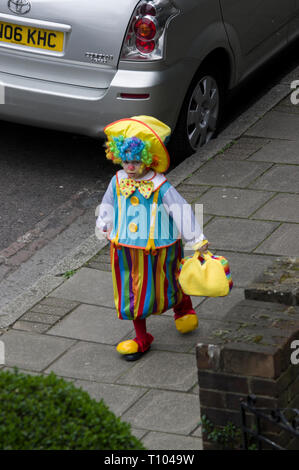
(248, 352)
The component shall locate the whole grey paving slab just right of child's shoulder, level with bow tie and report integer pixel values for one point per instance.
(233, 202)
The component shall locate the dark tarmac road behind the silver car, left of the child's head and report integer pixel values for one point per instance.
(40, 170)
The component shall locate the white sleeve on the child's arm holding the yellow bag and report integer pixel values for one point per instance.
(184, 218)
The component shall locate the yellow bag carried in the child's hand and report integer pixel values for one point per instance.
(205, 275)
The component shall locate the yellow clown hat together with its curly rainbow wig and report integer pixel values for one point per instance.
(139, 138)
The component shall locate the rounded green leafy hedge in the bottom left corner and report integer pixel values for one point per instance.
(48, 413)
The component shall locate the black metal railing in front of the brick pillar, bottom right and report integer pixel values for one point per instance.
(277, 417)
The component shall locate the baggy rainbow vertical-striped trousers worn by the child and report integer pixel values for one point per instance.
(145, 284)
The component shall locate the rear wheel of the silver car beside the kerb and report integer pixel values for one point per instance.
(200, 114)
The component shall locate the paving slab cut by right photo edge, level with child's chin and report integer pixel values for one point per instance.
(280, 178)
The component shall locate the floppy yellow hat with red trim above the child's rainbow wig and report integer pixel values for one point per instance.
(145, 128)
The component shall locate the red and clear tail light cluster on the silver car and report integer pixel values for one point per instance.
(146, 31)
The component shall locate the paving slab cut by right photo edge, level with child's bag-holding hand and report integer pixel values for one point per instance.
(284, 241)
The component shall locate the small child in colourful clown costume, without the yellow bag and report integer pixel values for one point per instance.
(145, 234)
